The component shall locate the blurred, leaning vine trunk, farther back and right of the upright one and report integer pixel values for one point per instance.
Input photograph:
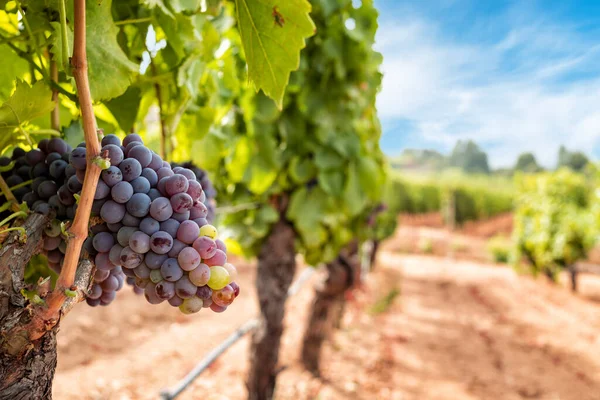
(328, 306)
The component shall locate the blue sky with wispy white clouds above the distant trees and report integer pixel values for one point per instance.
(513, 75)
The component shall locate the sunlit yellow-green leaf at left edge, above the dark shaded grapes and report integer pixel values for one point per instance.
(26, 103)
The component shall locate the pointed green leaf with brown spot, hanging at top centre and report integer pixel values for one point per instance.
(273, 33)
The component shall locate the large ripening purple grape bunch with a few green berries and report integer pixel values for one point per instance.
(155, 228)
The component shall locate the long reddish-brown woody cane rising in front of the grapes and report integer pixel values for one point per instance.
(78, 232)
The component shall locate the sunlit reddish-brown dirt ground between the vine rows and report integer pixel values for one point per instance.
(458, 329)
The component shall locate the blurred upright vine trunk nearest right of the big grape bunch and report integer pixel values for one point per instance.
(276, 269)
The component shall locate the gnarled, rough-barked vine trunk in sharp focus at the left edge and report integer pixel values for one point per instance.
(26, 367)
